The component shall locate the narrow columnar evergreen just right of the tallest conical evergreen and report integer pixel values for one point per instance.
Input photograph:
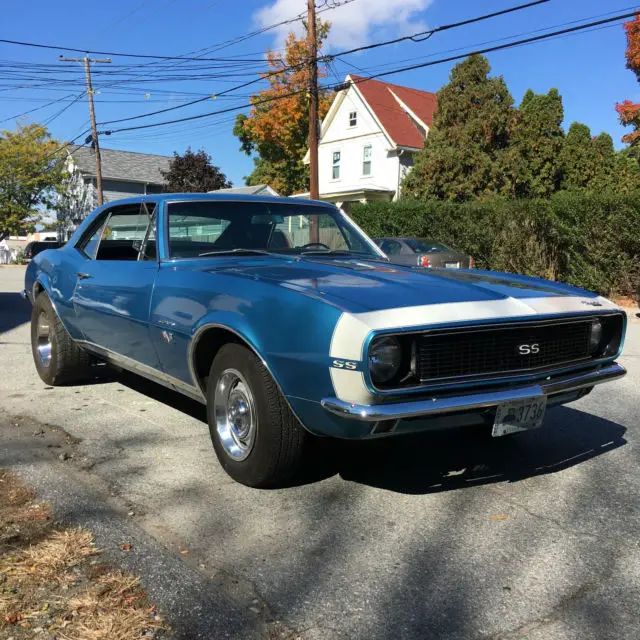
(537, 142)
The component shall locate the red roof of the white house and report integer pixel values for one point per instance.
(391, 114)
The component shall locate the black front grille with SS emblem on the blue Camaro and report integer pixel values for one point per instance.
(492, 350)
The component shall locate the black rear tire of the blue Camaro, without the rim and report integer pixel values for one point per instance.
(68, 363)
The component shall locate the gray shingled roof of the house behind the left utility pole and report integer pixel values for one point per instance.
(122, 165)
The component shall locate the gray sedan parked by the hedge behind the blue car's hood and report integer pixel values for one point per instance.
(423, 253)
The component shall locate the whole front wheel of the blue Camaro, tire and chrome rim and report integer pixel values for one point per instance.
(257, 439)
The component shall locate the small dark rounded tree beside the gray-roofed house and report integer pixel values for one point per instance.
(193, 172)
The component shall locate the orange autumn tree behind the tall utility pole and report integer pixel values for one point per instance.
(276, 130)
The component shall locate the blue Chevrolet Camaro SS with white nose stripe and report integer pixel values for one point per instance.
(288, 322)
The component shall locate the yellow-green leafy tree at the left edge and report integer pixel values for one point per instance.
(30, 172)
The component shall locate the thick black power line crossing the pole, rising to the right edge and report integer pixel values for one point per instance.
(508, 45)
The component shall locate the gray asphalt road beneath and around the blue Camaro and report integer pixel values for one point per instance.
(450, 535)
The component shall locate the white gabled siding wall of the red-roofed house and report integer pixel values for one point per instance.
(350, 142)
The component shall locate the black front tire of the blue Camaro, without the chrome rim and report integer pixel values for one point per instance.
(280, 441)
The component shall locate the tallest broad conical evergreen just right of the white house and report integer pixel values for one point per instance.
(464, 155)
